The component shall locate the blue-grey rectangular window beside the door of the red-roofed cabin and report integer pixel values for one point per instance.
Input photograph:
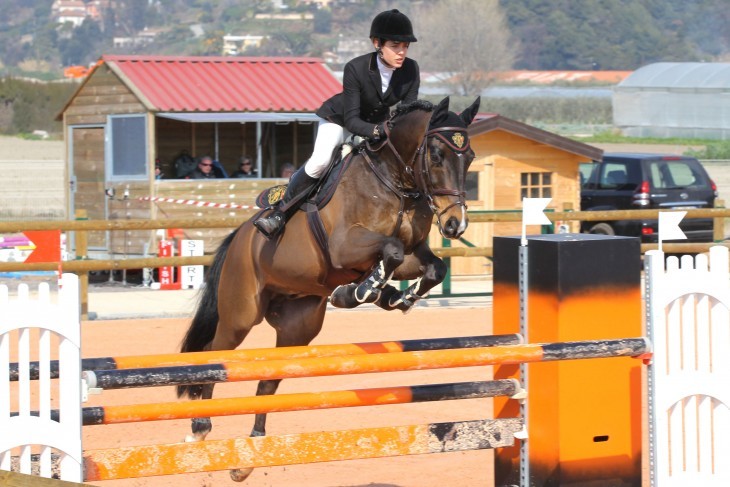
(128, 148)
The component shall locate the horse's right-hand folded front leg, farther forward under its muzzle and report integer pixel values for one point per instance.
(428, 270)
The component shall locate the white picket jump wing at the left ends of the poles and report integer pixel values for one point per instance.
(24, 435)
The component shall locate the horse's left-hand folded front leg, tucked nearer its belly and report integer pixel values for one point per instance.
(391, 255)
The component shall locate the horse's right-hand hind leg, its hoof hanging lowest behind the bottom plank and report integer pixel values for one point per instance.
(297, 322)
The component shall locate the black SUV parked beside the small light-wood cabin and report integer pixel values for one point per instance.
(623, 181)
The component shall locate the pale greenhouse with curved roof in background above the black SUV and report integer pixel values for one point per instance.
(675, 100)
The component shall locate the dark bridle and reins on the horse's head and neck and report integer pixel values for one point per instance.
(420, 179)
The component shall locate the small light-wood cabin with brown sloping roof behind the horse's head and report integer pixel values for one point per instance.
(516, 160)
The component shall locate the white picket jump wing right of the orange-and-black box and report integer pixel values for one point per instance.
(688, 321)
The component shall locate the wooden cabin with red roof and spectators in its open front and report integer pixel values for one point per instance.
(132, 112)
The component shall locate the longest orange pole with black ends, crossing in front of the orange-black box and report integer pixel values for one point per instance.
(361, 364)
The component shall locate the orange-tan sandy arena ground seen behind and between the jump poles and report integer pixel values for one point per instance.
(127, 337)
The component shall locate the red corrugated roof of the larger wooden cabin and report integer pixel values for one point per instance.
(226, 84)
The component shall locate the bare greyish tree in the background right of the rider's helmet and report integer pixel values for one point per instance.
(468, 39)
